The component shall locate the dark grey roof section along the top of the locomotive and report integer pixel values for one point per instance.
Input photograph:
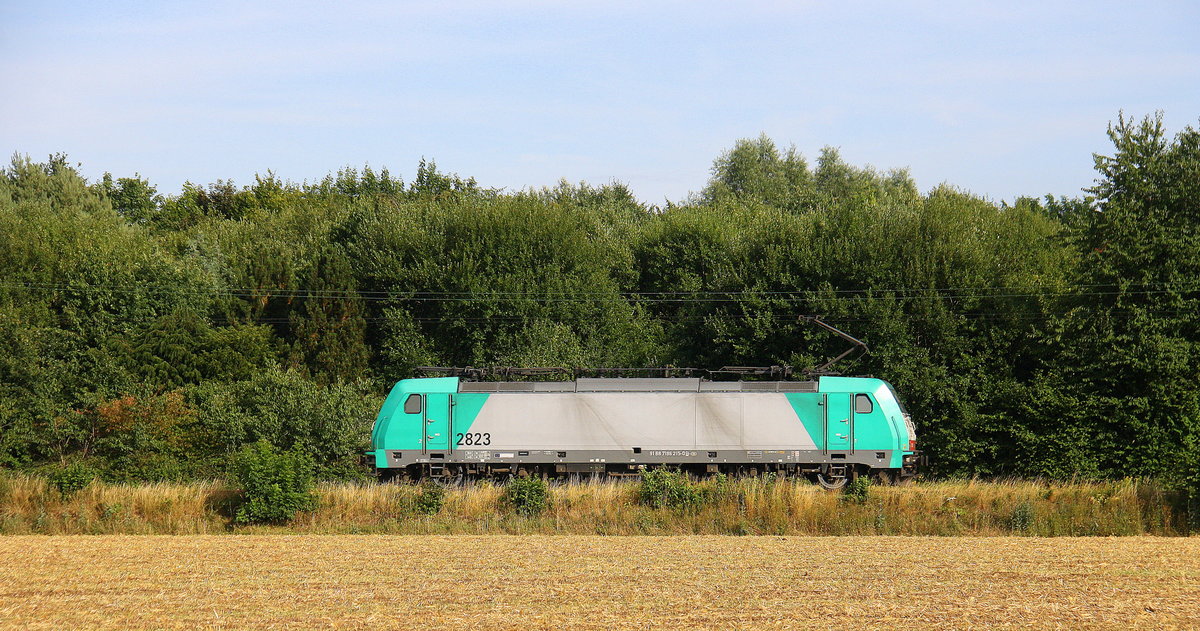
(675, 384)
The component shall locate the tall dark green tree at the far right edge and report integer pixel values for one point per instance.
(1121, 398)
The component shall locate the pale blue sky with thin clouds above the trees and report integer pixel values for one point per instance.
(999, 99)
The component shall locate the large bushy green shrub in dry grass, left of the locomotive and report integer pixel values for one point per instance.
(274, 485)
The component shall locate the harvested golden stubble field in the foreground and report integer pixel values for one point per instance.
(592, 582)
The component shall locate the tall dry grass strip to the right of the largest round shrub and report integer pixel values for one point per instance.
(769, 508)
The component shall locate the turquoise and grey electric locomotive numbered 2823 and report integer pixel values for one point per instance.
(831, 429)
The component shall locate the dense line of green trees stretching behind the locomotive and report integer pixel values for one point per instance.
(151, 336)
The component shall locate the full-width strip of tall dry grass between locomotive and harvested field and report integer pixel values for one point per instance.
(748, 507)
